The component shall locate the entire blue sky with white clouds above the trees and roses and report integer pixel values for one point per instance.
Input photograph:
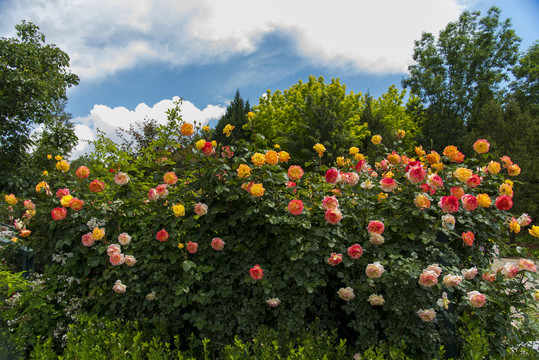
(134, 57)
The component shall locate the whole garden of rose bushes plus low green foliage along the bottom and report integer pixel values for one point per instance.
(197, 249)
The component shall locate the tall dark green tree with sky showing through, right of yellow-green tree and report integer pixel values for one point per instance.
(461, 72)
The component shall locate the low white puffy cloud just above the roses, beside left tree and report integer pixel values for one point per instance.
(108, 119)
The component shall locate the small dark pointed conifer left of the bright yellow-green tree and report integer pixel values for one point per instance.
(235, 115)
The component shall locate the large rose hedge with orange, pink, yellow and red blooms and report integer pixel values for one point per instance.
(219, 240)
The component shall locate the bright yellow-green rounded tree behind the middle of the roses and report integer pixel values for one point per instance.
(310, 113)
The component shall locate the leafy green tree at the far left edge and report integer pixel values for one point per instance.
(33, 82)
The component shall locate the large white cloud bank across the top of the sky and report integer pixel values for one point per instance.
(106, 36)
